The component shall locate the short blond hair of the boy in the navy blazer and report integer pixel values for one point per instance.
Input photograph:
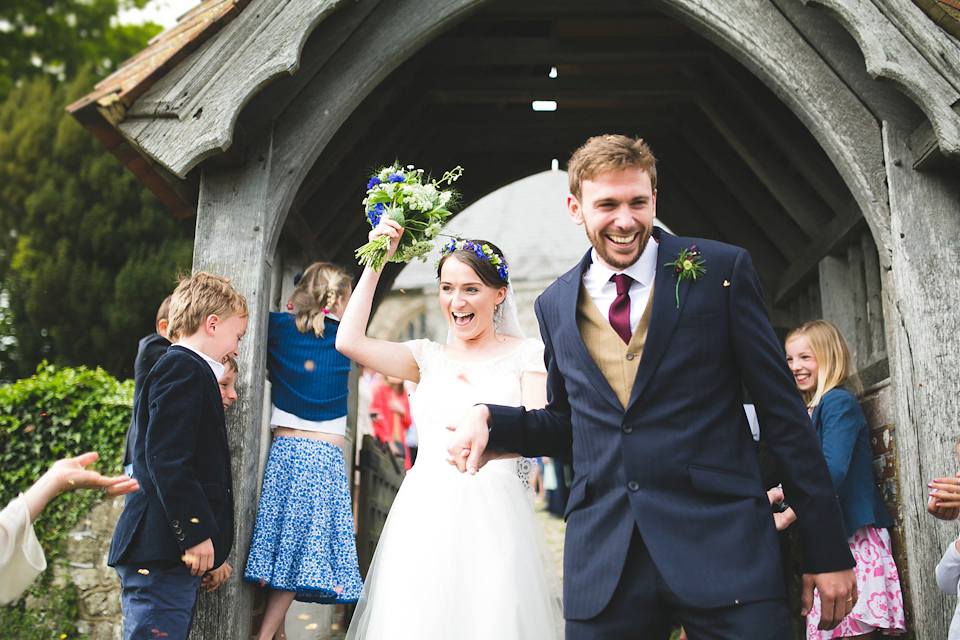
(196, 298)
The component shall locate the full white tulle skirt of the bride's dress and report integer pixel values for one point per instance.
(460, 557)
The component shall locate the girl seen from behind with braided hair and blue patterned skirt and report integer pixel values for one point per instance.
(304, 546)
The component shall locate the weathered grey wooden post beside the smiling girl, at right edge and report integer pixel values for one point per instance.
(920, 302)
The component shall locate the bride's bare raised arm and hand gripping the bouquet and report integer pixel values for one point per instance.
(388, 358)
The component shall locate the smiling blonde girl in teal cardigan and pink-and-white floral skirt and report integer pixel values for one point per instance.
(820, 361)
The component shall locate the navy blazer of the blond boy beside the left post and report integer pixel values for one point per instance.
(182, 462)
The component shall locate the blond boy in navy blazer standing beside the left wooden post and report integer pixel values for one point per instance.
(179, 525)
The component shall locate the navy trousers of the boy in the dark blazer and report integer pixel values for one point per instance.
(157, 602)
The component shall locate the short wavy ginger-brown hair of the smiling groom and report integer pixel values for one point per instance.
(605, 153)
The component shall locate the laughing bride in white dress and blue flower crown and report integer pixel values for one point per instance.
(460, 556)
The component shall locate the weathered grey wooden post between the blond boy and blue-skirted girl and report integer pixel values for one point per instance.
(234, 240)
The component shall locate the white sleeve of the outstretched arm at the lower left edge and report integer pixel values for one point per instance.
(21, 557)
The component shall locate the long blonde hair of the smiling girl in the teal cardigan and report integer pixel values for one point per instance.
(834, 359)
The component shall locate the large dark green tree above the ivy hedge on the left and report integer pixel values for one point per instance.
(87, 253)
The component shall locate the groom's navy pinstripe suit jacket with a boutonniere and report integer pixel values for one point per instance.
(679, 462)
